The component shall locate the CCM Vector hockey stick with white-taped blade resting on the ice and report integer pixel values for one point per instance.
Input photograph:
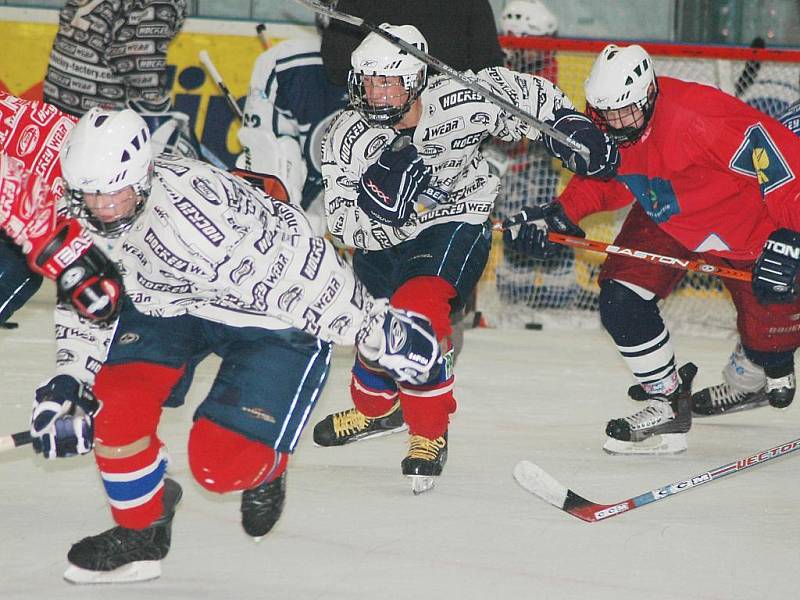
(538, 482)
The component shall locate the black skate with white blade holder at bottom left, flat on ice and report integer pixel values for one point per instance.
(122, 555)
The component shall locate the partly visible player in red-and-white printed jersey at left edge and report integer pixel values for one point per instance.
(34, 241)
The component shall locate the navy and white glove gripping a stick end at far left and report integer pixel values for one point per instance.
(62, 421)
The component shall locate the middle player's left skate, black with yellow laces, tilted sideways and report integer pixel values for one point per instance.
(352, 426)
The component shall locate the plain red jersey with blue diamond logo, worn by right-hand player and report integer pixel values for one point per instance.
(712, 172)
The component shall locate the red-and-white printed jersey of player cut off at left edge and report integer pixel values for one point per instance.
(31, 135)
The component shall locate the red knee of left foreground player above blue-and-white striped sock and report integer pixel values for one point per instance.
(132, 395)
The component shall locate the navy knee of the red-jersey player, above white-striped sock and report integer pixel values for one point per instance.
(623, 306)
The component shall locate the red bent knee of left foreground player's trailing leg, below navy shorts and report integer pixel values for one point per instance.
(223, 461)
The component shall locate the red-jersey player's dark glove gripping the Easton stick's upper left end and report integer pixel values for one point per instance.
(526, 232)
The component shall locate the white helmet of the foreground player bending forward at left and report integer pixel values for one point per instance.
(106, 152)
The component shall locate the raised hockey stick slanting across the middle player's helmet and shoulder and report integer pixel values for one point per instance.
(463, 79)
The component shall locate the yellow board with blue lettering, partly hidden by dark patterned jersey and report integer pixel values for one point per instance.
(23, 65)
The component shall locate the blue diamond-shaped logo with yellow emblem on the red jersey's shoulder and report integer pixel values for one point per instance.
(759, 157)
